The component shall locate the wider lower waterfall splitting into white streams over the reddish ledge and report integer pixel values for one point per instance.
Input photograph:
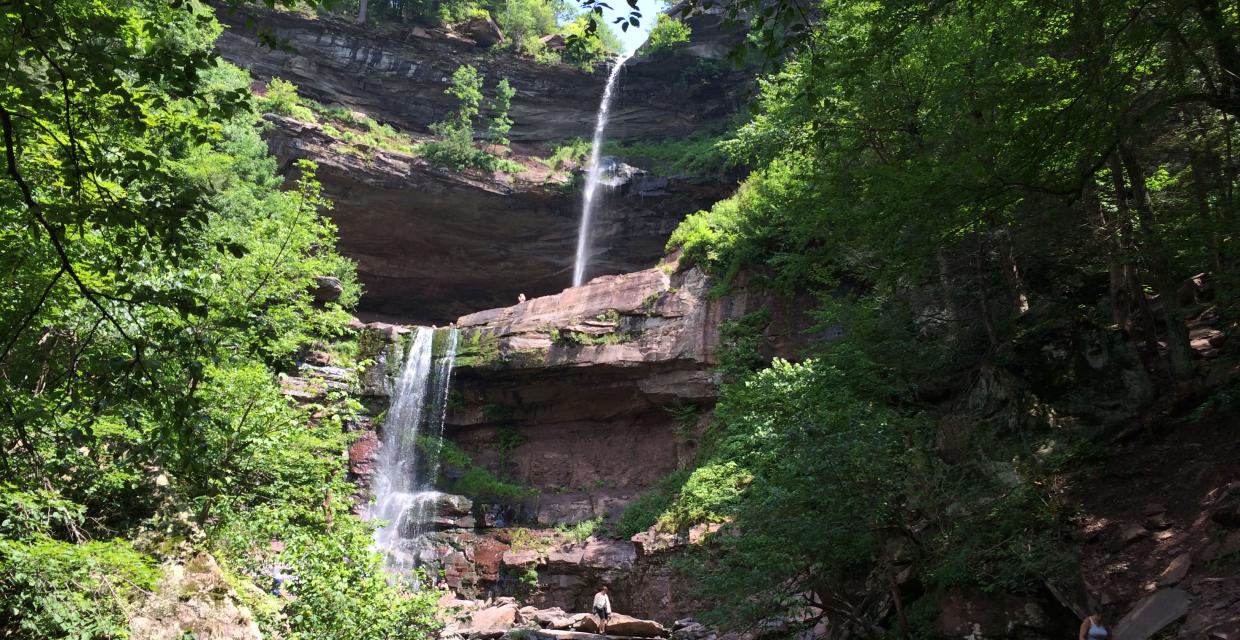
(404, 484)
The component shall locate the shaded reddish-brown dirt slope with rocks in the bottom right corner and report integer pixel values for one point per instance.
(1148, 513)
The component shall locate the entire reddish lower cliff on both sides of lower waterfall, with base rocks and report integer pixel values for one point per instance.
(590, 398)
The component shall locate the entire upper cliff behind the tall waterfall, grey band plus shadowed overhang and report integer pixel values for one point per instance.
(431, 245)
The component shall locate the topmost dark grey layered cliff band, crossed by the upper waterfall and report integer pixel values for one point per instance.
(399, 75)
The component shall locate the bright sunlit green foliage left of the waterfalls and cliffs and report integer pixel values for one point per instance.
(159, 278)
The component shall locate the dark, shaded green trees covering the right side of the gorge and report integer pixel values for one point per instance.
(1001, 207)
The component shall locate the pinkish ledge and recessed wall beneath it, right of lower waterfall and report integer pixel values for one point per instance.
(604, 386)
